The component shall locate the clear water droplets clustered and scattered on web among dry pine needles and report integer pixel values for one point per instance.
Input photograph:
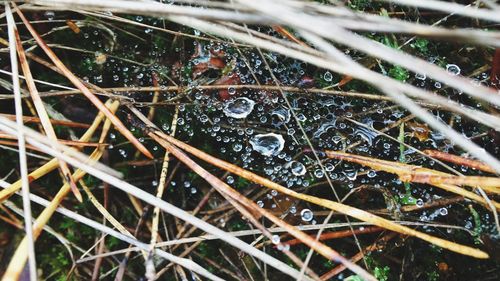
(262, 131)
